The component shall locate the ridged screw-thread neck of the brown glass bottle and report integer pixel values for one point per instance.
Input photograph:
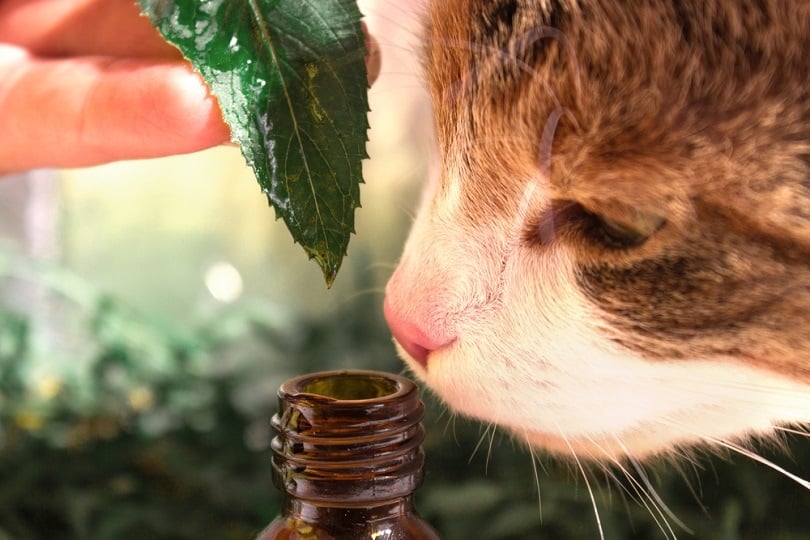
(349, 446)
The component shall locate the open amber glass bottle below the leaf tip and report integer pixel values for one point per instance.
(348, 457)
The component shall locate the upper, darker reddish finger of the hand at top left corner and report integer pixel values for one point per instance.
(82, 28)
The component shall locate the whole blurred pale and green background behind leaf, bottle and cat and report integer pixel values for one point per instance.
(149, 311)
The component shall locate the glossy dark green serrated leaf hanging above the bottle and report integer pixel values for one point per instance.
(291, 82)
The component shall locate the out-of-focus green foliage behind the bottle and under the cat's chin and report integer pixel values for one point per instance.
(130, 428)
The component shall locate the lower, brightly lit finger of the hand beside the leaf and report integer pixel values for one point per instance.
(110, 110)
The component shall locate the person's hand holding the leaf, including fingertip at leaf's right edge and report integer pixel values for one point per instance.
(84, 82)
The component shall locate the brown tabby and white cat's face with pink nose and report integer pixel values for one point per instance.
(614, 257)
